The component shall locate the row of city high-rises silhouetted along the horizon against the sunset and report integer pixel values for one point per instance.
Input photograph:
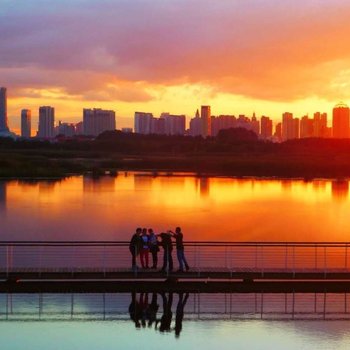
(204, 124)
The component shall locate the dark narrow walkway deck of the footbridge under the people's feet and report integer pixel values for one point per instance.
(213, 273)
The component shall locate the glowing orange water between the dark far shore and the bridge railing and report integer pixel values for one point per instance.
(110, 208)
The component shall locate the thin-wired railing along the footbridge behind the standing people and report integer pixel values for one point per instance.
(228, 256)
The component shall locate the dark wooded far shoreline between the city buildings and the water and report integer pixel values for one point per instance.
(232, 156)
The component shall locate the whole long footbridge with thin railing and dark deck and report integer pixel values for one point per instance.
(263, 263)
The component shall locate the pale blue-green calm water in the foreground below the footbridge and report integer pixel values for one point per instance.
(52, 321)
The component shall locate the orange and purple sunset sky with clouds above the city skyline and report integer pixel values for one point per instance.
(239, 56)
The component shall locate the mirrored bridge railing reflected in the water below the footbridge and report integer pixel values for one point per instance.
(114, 306)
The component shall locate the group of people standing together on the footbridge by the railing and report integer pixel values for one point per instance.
(146, 241)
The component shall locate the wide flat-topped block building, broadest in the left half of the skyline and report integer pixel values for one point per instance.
(96, 121)
